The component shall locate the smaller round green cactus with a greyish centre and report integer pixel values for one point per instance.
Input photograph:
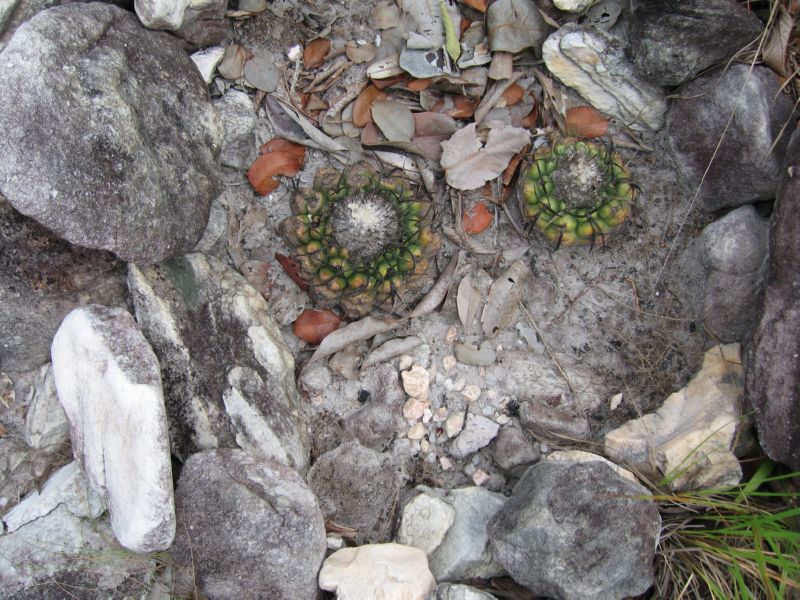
(577, 192)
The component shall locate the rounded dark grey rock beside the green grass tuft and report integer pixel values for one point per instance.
(577, 531)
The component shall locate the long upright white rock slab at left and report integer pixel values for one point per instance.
(109, 385)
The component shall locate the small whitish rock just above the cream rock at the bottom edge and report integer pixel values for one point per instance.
(425, 522)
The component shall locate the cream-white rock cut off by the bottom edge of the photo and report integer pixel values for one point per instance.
(377, 572)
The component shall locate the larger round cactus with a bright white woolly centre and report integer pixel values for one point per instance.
(361, 241)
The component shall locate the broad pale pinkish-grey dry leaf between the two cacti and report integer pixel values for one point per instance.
(468, 164)
